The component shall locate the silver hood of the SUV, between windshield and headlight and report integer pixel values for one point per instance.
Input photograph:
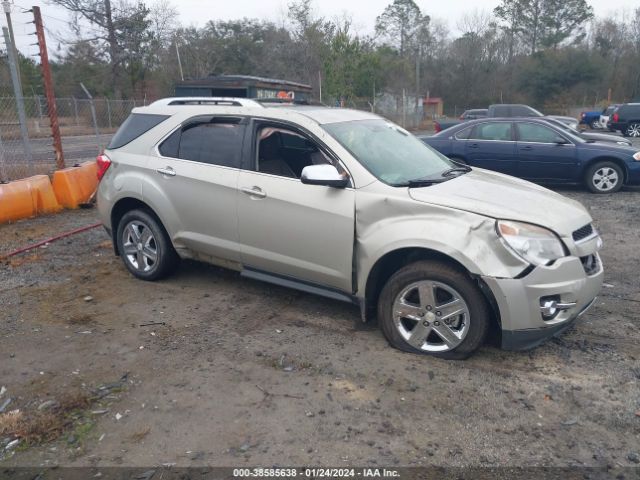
(503, 197)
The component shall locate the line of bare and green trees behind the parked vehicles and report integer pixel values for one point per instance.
(547, 53)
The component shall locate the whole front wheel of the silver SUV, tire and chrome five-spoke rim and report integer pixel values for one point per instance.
(432, 308)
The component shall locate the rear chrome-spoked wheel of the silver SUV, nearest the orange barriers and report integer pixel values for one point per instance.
(165, 260)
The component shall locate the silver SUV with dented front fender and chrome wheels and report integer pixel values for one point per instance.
(347, 205)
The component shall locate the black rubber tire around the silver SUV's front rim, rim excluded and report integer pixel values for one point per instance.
(479, 316)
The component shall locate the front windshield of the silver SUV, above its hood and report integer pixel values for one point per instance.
(389, 152)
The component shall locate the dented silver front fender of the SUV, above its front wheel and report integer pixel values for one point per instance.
(388, 222)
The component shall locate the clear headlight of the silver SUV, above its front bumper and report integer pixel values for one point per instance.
(534, 244)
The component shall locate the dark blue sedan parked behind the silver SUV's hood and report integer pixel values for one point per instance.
(539, 151)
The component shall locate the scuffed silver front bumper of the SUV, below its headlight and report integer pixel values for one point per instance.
(518, 300)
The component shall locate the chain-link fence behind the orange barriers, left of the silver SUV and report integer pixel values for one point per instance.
(86, 127)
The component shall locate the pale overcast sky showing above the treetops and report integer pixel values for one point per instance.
(198, 12)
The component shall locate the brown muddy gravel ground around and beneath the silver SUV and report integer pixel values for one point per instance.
(237, 372)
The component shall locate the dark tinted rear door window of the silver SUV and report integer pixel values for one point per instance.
(216, 141)
